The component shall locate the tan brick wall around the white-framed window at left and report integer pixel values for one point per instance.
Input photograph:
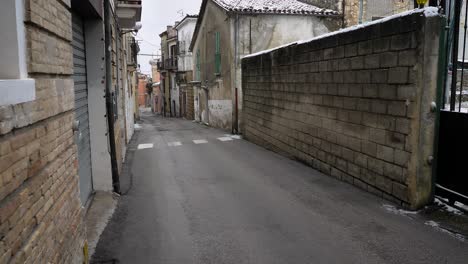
(41, 218)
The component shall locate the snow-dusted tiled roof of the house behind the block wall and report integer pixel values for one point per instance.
(292, 7)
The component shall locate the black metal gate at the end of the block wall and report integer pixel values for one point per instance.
(452, 171)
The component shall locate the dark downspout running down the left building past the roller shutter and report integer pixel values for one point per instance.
(109, 98)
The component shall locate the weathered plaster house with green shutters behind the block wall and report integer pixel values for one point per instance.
(228, 30)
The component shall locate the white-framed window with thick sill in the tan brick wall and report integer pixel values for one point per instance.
(15, 87)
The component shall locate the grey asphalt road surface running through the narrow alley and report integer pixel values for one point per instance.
(200, 196)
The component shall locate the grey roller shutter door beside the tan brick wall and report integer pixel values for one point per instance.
(82, 137)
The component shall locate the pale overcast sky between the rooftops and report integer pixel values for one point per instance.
(156, 16)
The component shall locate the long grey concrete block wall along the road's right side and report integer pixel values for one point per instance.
(354, 105)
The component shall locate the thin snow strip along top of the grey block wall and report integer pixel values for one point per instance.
(428, 12)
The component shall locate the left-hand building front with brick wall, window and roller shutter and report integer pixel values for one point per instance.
(56, 95)
